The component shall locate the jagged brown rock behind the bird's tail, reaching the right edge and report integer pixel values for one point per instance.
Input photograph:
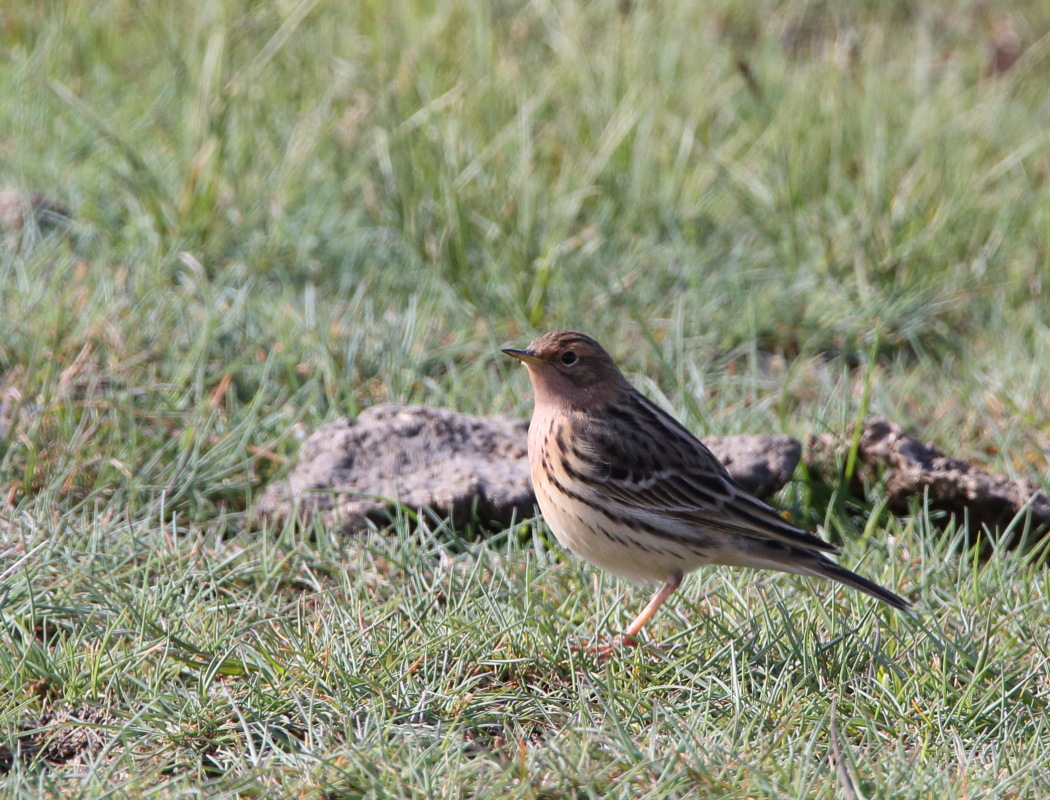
(914, 469)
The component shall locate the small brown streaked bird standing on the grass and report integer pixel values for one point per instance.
(627, 488)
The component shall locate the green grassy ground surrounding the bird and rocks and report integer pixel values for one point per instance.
(288, 212)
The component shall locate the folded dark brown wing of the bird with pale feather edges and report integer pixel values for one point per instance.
(653, 467)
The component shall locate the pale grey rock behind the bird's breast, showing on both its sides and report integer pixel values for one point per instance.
(471, 469)
